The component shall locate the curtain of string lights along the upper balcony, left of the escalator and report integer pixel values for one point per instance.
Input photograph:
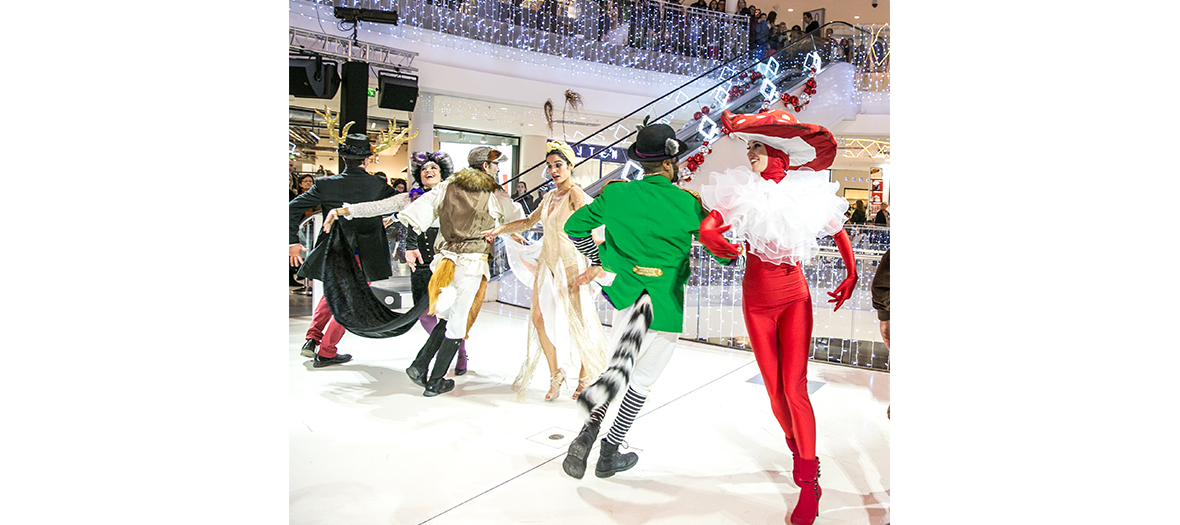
(645, 35)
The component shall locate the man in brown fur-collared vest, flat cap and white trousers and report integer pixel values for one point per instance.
(467, 205)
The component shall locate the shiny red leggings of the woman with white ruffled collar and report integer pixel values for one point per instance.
(778, 312)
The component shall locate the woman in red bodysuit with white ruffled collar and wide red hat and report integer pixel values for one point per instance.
(778, 208)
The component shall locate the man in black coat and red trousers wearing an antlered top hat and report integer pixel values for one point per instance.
(368, 237)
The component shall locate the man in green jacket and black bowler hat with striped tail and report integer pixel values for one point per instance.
(644, 266)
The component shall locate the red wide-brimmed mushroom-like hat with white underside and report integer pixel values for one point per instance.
(807, 146)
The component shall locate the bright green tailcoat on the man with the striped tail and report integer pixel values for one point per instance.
(651, 224)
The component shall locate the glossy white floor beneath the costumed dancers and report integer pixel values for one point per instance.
(366, 448)
